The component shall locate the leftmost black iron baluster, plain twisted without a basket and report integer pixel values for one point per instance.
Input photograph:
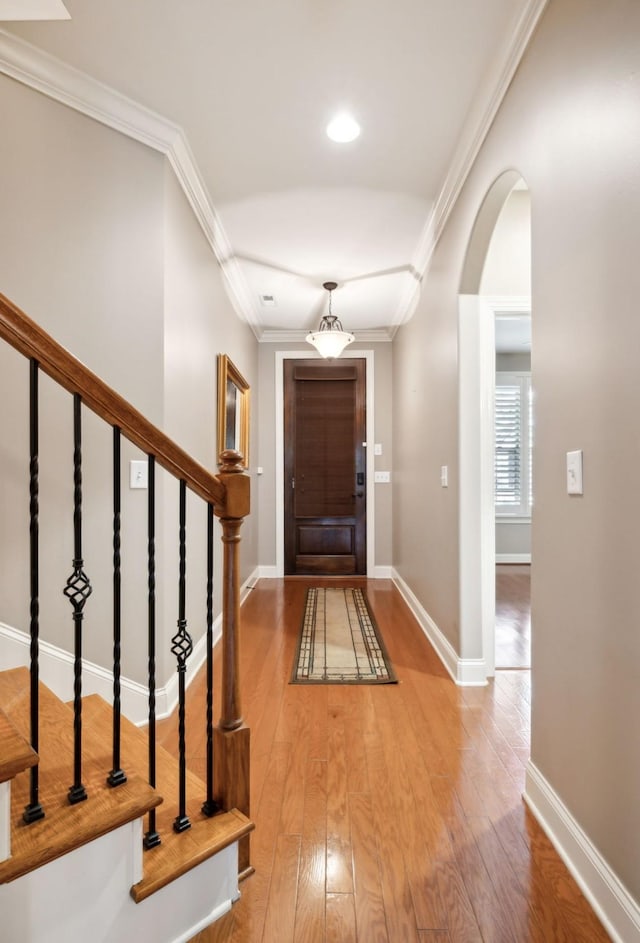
(34, 810)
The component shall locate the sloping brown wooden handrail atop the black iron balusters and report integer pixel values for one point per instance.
(27, 337)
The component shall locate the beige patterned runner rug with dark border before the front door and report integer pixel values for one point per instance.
(339, 641)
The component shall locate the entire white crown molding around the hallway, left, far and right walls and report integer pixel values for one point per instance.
(69, 86)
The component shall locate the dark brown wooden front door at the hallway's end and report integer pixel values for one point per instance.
(325, 467)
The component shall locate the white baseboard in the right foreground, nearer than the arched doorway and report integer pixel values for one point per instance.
(618, 911)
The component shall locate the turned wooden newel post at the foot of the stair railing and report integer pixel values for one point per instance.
(232, 737)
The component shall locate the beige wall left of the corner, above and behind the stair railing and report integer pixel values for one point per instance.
(81, 252)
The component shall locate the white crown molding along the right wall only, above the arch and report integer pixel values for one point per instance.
(469, 143)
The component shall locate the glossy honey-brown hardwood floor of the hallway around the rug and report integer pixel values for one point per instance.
(388, 814)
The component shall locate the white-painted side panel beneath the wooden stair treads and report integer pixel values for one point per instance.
(86, 895)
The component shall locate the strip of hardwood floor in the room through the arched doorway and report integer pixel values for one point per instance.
(513, 615)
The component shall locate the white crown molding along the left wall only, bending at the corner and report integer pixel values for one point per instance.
(50, 76)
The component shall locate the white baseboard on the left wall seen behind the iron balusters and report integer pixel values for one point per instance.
(56, 670)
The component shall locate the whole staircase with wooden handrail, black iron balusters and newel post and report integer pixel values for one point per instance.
(105, 836)
